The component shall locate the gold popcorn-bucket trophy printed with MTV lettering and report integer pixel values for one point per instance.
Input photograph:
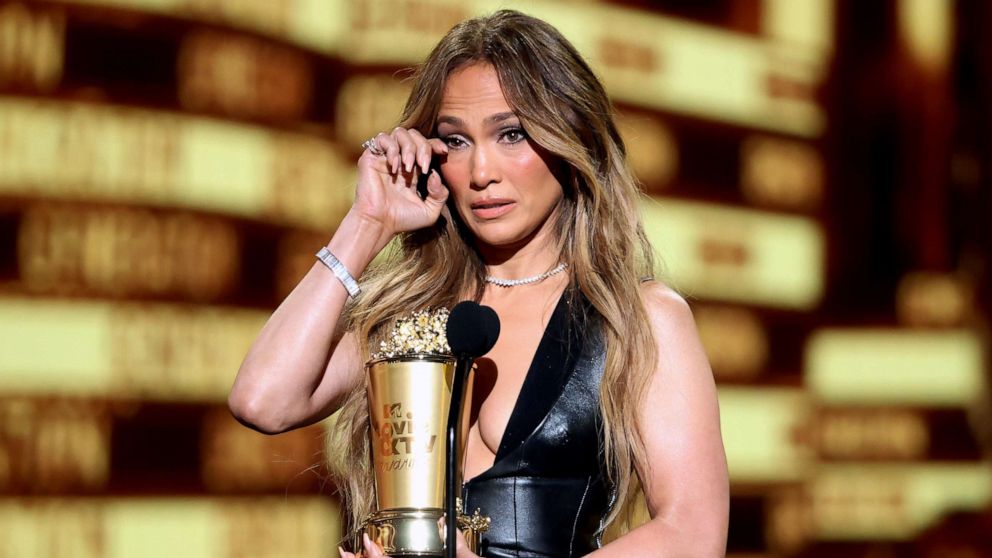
(414, 380)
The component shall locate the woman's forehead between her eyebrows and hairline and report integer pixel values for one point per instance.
(473, 90)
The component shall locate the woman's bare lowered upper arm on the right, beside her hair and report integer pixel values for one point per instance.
(685, 474)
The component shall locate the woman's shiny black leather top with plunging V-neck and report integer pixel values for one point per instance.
(546, 492)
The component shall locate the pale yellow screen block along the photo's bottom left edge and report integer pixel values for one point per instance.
(169, 527)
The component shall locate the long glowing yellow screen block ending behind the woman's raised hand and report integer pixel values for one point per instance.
(145, 157)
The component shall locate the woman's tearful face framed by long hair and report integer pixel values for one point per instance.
(499, 180)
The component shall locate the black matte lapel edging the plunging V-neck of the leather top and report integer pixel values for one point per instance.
(549, 369)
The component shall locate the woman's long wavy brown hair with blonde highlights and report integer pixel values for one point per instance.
(565, 110)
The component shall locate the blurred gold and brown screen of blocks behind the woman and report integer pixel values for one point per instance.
(817, 180)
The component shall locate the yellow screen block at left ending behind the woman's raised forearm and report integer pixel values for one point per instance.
(125, 350)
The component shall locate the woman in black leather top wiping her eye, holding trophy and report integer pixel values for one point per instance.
(597, 388)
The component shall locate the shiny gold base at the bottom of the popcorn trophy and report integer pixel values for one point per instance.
(414, 532)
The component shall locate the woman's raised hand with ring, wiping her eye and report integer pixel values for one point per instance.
(387, 181)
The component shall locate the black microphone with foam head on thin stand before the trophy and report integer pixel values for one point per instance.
(472, 330)
